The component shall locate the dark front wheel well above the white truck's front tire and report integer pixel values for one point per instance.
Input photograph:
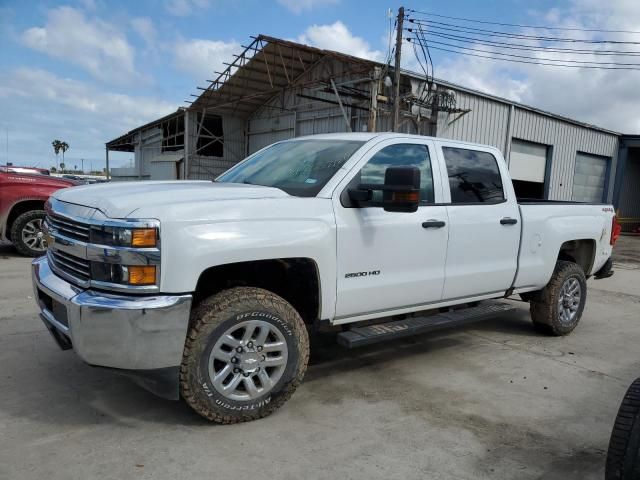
(294, 279)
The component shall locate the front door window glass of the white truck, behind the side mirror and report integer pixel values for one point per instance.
(395, 156)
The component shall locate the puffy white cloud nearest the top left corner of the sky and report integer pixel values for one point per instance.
(95, 45)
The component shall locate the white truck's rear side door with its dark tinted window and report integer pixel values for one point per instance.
(484, 222)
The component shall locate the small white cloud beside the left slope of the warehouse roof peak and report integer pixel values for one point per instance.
(201, 58)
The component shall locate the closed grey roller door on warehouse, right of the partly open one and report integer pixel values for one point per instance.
(589, 178)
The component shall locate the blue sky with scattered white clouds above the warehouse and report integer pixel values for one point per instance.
(87, 71)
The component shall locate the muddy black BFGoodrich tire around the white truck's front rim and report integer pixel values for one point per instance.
(209, 320)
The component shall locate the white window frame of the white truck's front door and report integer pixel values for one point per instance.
(341, 191)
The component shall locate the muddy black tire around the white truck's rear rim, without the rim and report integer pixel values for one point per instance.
(544, 305)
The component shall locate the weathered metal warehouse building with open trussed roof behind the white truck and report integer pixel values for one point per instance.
(277, 89)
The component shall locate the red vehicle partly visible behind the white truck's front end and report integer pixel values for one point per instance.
(23, 192)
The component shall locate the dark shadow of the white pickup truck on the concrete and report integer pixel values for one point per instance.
(80, 395)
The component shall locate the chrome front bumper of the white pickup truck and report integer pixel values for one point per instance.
(143, 336)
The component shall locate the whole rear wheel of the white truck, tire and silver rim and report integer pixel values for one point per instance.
(557, 308)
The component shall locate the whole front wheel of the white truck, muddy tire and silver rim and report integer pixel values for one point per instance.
(246, 352)
